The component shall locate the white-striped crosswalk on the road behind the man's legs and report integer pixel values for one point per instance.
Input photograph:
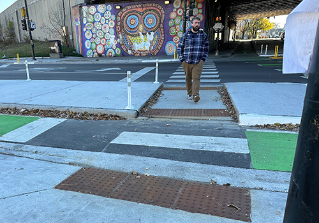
(209, 74)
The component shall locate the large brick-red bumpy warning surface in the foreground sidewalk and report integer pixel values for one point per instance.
(223, 201)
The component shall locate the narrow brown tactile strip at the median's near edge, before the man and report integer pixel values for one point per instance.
(186, 113)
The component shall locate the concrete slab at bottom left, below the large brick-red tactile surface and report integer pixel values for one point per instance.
(65, 206)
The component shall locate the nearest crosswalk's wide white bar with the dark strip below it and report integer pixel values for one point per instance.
(221, 151)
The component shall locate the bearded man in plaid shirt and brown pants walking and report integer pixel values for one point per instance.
(193, 51)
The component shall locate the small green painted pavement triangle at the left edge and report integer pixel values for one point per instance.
(9, 123)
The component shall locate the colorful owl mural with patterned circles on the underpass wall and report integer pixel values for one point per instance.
(136, 29)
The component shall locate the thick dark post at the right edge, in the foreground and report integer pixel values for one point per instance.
(303, 196)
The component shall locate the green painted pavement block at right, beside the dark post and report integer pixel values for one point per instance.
(271, 150)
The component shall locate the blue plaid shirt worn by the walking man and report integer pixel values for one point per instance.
(193, 47)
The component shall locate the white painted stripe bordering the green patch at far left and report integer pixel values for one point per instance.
(31, 130)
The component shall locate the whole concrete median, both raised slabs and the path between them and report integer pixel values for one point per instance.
(255, 103)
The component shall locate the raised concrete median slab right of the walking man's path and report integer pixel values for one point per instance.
(267, 103)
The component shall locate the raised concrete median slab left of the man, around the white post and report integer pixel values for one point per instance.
(93, 96)
